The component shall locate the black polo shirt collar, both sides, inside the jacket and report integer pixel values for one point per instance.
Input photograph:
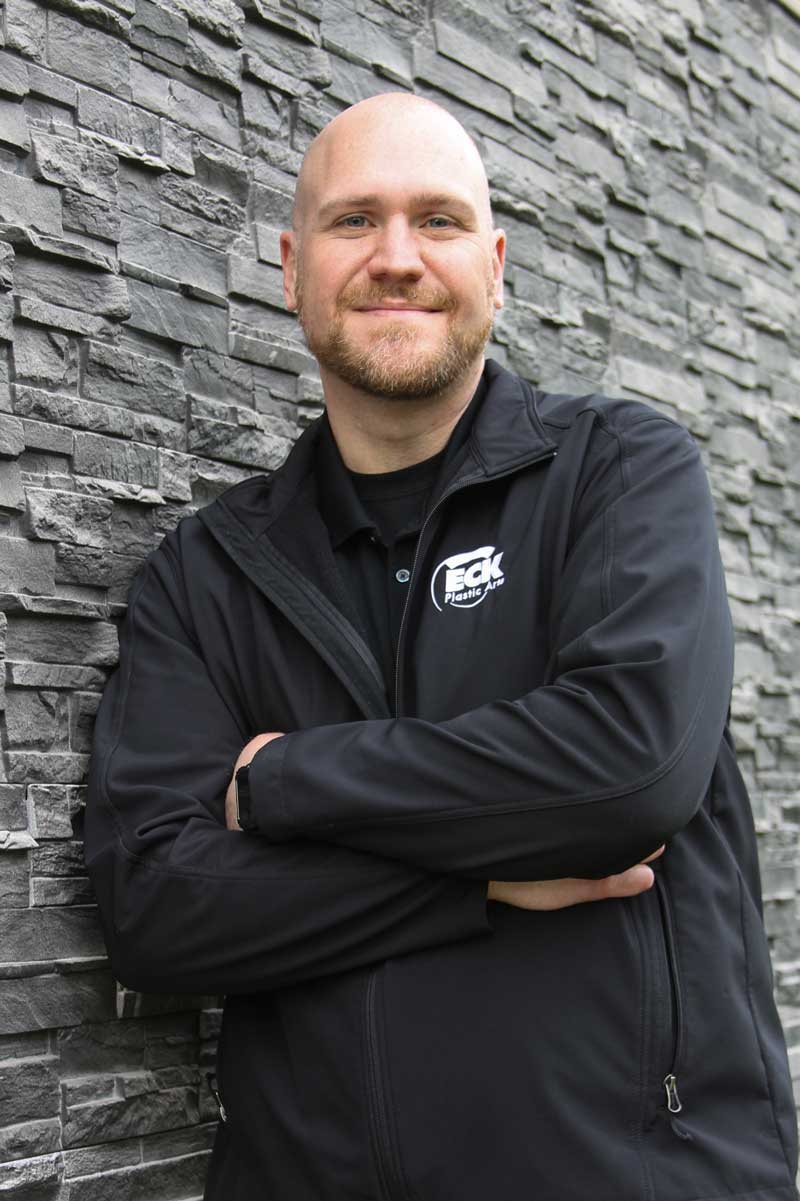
(339, 503)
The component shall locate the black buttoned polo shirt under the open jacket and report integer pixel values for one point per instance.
(374, 523)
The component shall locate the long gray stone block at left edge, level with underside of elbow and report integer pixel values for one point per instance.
(56, 1001)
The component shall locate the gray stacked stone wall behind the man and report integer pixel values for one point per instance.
(644, 158)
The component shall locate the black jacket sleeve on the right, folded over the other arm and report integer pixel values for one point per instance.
(594, 770)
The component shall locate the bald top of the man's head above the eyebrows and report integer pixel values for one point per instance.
(384, 138)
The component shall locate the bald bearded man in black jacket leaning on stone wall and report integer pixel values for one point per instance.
(469, 656)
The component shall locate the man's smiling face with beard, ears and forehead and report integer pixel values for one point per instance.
(395, 270)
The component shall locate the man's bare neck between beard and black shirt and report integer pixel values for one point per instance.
(378, 435)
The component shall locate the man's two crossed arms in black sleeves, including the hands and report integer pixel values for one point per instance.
(380, 838)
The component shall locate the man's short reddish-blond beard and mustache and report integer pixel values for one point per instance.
(395, 367)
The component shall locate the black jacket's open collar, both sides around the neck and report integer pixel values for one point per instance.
(506, 434)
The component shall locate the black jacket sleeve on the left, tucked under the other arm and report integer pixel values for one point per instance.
(189, 906)
